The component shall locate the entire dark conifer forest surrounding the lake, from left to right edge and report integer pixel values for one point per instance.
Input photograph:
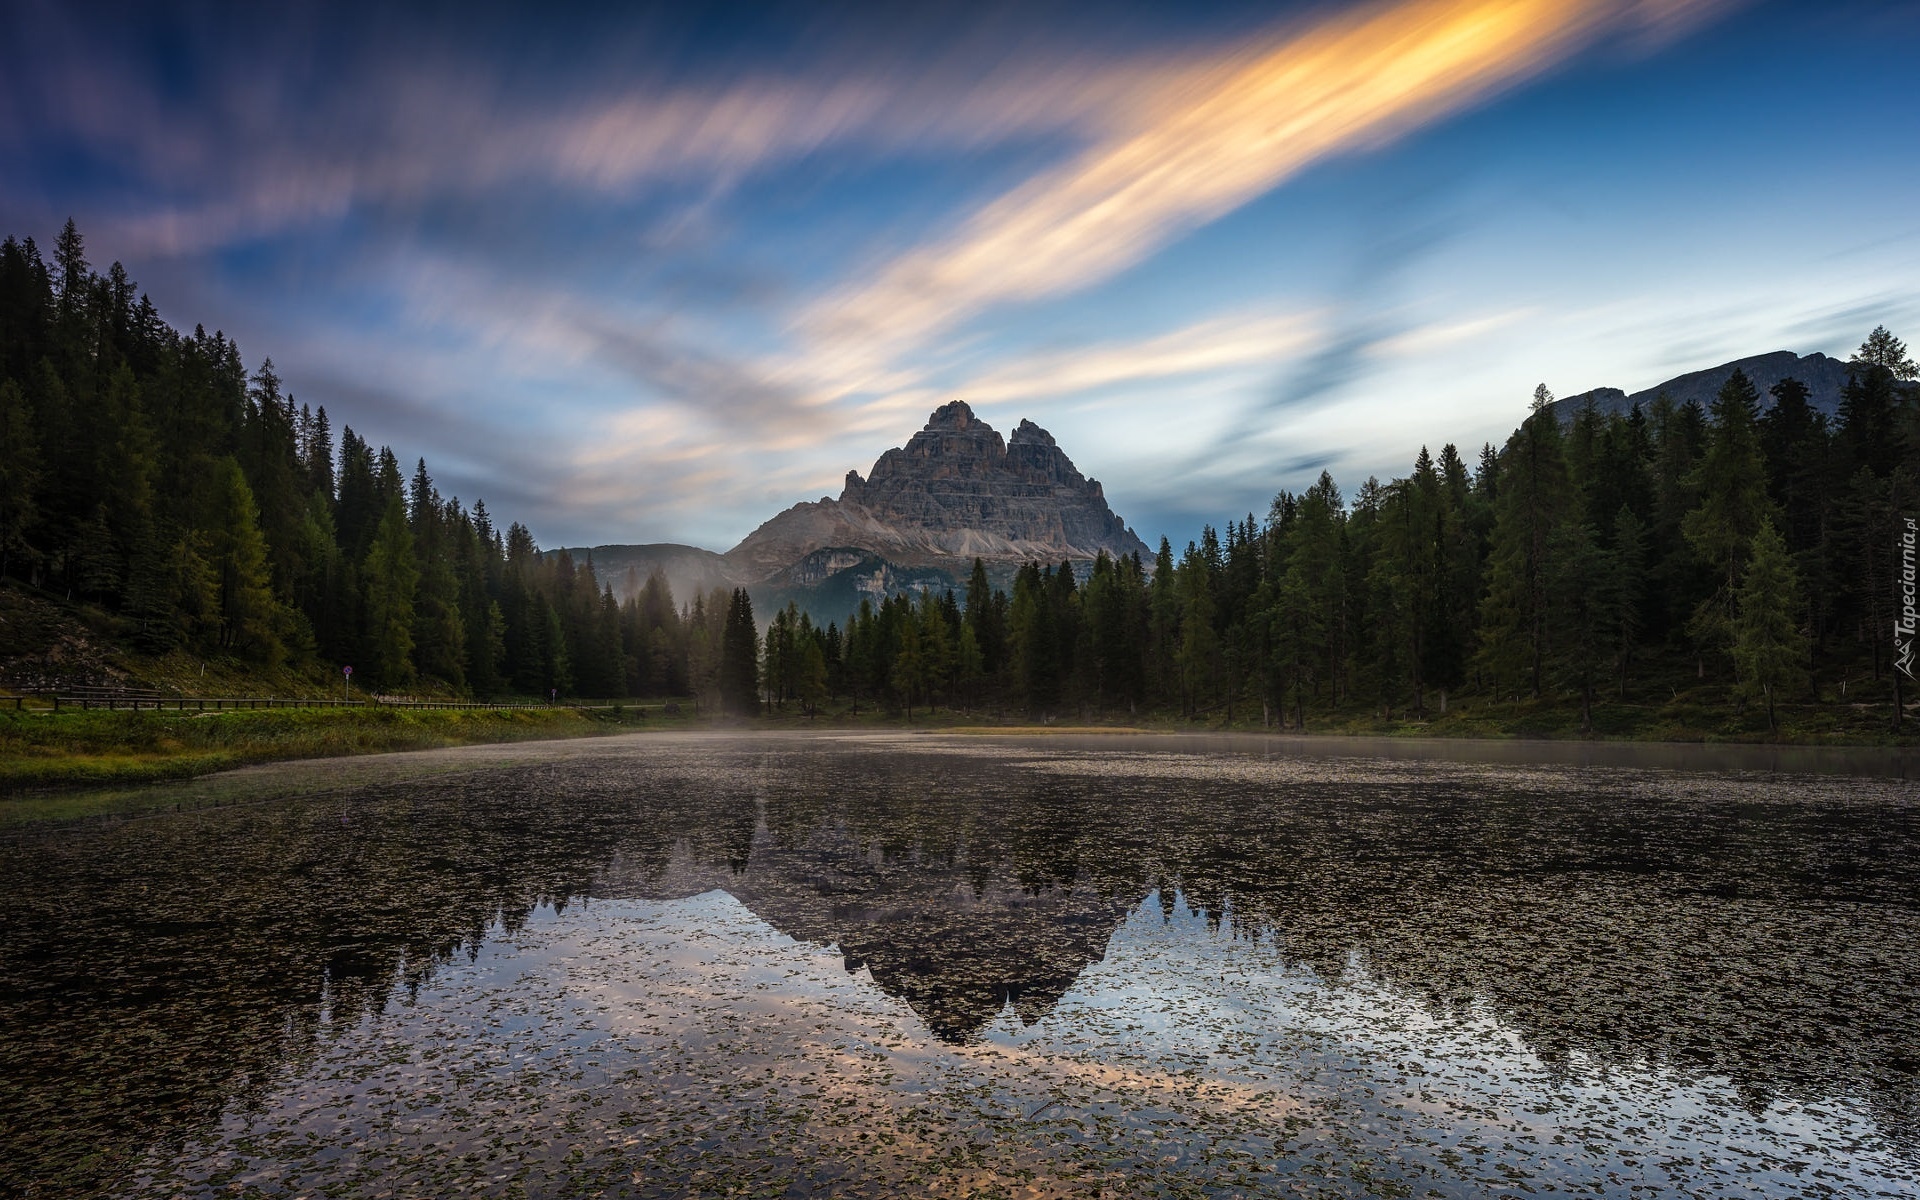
(1748, 550)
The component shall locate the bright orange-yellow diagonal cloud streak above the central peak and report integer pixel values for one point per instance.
(1234, 132)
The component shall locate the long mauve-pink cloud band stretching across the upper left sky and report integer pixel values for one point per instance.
(254, 155)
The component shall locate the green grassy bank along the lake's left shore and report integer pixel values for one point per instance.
(84, 750)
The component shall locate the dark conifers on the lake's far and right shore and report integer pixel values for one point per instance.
(1731, 546)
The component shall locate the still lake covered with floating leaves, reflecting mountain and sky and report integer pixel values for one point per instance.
(869, 965)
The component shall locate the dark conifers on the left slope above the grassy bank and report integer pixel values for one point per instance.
(151, 473)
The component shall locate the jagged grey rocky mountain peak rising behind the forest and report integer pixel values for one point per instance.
(957, 491)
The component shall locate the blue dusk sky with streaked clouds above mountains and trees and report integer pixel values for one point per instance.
(660, 276)
